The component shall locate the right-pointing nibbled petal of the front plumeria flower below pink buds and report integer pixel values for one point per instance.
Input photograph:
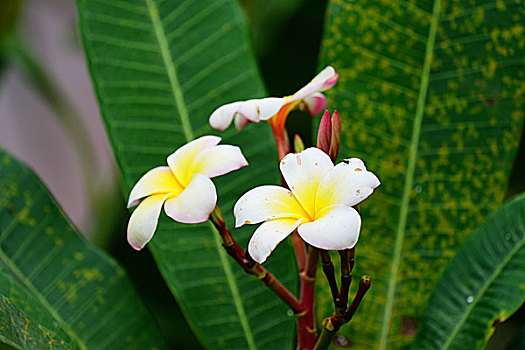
(349, 183)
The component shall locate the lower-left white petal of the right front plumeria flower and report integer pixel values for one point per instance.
(268, 236)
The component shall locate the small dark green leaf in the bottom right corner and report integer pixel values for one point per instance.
(483, 284)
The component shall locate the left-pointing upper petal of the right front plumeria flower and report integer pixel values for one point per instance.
(266, 203)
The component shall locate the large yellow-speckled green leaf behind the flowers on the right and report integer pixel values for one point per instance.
(431, 97)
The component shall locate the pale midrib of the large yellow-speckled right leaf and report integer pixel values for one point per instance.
(409, 179)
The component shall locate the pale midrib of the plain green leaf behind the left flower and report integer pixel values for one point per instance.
(188, 133)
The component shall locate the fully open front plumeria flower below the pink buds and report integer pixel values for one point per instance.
(318, 204)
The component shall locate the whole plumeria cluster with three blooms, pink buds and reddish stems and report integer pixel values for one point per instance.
(316, 203)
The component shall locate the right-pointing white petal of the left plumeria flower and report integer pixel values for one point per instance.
(218, 160)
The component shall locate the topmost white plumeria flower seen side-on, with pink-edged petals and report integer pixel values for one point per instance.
(308, 98)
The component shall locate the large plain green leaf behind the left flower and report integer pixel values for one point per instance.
(159, 69)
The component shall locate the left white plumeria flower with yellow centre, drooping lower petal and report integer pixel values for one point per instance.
(184, 187)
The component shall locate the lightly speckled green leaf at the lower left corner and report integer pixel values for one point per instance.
(52, 275)
